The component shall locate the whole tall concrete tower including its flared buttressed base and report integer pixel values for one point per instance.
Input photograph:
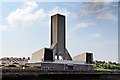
(58, 37)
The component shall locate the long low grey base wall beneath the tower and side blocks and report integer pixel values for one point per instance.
(59, 66)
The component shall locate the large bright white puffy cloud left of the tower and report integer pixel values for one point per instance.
(26, 15)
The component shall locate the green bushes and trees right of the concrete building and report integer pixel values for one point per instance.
(99, 65)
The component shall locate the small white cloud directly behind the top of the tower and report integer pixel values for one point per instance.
(62, 11)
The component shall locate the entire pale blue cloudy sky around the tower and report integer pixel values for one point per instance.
(91, 26)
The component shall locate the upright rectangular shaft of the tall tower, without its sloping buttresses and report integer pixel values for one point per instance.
(58, 33)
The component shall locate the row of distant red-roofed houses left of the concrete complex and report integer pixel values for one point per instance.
(10, 61)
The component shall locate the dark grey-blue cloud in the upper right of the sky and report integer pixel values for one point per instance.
(104, 9)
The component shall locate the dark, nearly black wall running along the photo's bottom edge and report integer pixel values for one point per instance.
(57, 75)
